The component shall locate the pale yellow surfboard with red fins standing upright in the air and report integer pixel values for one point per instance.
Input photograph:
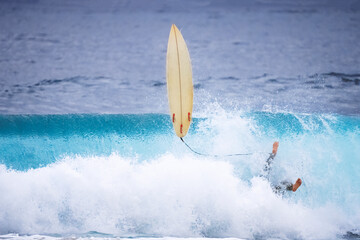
(179, 82)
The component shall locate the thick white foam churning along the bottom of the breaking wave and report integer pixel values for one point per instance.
(168, 196)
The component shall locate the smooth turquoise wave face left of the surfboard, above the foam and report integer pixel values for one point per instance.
(32, 141)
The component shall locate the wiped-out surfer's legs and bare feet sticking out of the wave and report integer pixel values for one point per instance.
(284, 185)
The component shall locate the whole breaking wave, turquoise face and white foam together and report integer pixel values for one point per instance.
(129, 175)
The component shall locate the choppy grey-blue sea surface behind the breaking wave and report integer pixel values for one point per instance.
(92, 57)
